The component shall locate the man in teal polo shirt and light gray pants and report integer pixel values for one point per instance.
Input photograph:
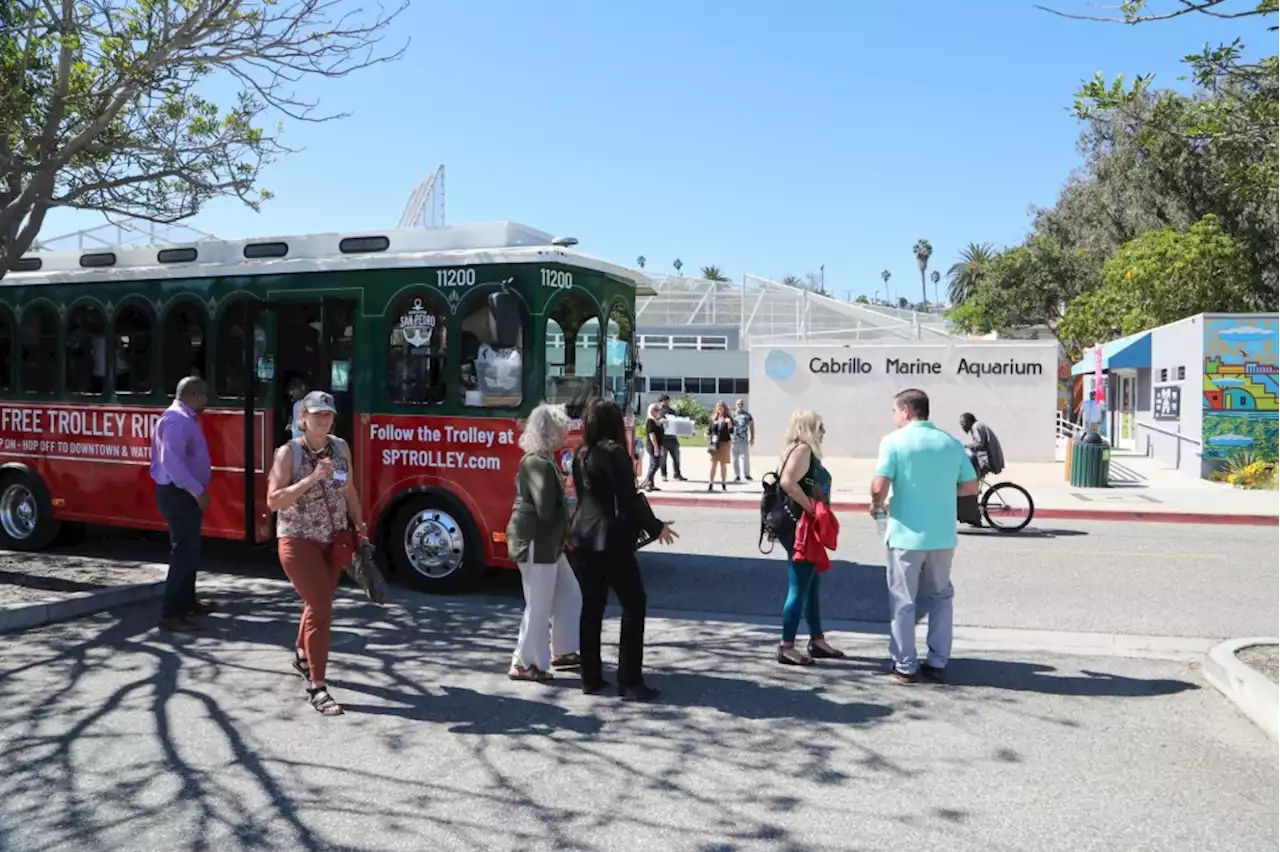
(927, 470)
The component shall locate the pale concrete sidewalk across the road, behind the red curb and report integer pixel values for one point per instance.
(1142, 489)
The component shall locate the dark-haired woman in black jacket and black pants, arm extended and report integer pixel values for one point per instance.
(607, 524)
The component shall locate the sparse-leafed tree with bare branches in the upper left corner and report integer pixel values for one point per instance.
(109, 107)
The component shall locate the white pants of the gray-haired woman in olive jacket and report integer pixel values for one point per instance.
(554, 606)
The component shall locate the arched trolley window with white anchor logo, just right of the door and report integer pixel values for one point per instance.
(418, 351)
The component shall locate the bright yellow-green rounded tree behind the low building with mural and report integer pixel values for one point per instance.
(1162, 277)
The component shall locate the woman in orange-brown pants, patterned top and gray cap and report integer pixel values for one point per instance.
(312, 489)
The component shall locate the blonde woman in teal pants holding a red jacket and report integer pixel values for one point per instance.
(804, 479)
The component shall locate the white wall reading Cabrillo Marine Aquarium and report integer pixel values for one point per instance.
(857, 401)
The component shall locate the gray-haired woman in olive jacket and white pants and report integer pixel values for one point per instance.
(536, 543)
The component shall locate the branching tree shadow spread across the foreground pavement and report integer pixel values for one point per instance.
(116, 736)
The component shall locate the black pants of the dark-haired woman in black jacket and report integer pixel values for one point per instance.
(598, 574)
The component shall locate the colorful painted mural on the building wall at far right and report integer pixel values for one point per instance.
(1242, 387)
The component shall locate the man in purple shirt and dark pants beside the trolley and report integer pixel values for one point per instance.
(180, 466)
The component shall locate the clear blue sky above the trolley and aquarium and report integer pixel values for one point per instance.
(761, 138)
